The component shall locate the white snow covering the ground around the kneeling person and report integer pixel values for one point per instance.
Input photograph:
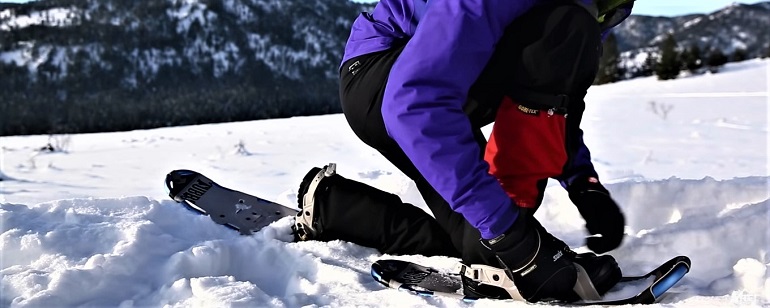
(91, 225)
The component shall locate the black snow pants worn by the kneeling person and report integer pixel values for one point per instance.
(552, 49)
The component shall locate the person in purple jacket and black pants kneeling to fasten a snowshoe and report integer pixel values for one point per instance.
(418, 81)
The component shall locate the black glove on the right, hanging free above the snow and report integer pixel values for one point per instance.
(603, 216)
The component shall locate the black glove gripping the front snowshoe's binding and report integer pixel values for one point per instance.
(539, 264)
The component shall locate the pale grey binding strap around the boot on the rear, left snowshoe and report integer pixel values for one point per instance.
(307, 225)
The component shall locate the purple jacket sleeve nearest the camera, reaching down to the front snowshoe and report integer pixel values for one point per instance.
(422, 105)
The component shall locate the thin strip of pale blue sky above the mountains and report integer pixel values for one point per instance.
(647, 7)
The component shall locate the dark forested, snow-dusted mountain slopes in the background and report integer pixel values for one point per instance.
(102, 65)
